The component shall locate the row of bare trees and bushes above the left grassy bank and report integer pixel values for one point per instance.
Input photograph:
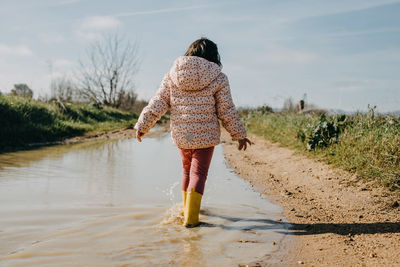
(106, 76)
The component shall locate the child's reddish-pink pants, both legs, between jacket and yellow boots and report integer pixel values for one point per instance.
(195, 164)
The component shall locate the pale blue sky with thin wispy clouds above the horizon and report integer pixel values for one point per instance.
(342, 54)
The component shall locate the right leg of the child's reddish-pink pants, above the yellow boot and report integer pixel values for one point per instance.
(200, 163)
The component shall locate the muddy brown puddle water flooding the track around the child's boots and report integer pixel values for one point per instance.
(118, 203)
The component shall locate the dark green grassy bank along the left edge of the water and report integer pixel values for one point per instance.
(24, 121)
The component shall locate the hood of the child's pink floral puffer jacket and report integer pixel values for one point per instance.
(191, 73)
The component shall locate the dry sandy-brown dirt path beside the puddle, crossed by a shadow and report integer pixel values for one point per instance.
(337, 220)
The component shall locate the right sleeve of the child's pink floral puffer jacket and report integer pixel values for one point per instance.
(227, 113)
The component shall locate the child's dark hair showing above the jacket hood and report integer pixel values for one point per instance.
(206, 49)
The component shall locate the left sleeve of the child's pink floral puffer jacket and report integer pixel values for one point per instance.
(157, 107)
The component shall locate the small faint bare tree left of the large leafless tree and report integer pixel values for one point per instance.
(63, 89)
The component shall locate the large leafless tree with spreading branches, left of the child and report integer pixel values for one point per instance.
(110, 68)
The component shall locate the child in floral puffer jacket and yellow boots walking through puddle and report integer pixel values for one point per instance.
(198, 94)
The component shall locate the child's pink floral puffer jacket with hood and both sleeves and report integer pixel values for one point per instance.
(198, 94)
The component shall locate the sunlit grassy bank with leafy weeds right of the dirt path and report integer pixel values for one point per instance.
(366, 144)
